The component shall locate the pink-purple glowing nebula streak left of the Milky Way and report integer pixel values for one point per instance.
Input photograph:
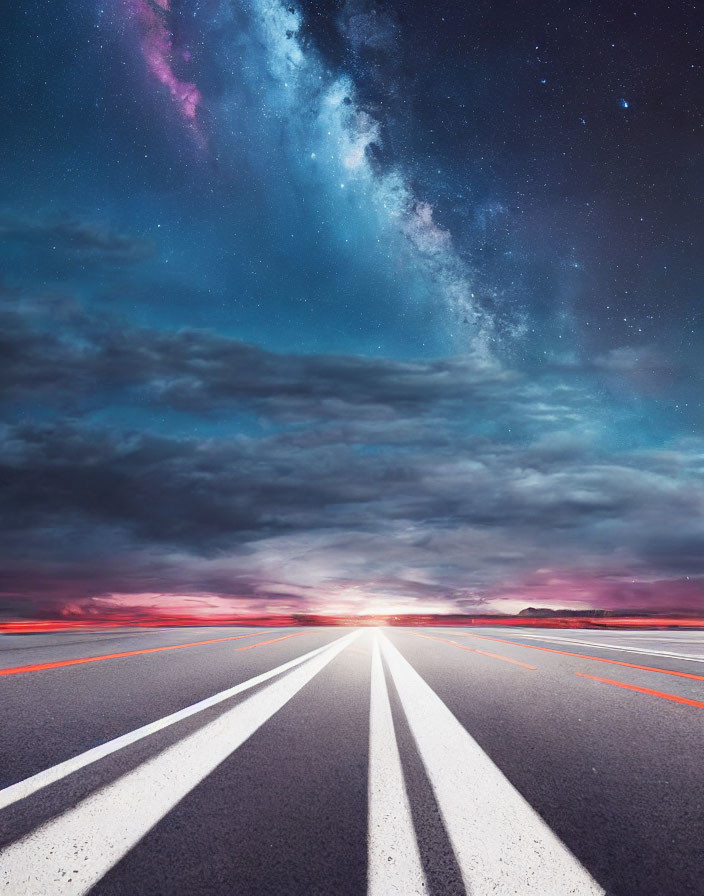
(156, 41)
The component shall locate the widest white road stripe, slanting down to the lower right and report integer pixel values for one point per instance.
(501, 843)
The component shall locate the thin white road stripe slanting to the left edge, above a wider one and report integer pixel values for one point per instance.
(22, 789)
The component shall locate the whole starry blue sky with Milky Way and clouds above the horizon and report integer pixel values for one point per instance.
(351, 307)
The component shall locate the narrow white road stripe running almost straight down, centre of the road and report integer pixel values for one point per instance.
(394, 866)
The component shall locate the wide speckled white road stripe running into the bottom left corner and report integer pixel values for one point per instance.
(71, 853)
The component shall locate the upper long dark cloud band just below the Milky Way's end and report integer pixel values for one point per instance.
(53, 351)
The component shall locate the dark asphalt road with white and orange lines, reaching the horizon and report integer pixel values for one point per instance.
(343, 761)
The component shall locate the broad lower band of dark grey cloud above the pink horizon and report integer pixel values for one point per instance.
(460, 518)
